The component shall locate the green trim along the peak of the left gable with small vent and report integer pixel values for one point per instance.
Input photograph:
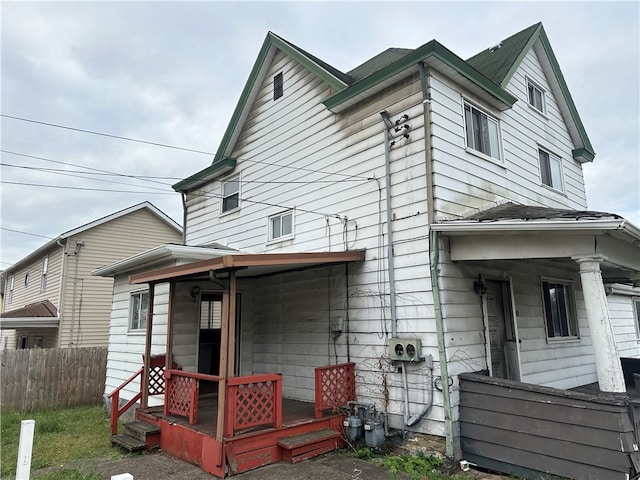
(270, 41)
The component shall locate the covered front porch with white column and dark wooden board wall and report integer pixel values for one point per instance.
(550, 396)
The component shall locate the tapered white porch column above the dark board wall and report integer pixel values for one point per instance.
(608, 367)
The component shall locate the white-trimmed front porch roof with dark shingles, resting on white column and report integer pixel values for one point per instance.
(510, 231)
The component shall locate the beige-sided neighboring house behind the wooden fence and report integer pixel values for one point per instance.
(50, 298)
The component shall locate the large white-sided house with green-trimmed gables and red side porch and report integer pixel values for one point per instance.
(422, 218)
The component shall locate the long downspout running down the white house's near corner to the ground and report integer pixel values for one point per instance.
(434, 259)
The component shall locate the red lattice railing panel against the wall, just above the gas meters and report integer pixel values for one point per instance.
(335, 386)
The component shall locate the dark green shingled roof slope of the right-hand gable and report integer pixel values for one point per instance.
(496, 64)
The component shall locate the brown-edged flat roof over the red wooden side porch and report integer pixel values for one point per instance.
(248, 265)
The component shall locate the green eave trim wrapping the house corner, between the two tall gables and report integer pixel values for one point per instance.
(431, 49)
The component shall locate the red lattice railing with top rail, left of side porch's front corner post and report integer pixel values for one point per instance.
(182, 393)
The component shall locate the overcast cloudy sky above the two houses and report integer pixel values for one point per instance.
(171, 73)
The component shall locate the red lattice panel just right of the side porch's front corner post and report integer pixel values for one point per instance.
(255, 405)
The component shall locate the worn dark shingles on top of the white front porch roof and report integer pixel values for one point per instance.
(511, 211)
